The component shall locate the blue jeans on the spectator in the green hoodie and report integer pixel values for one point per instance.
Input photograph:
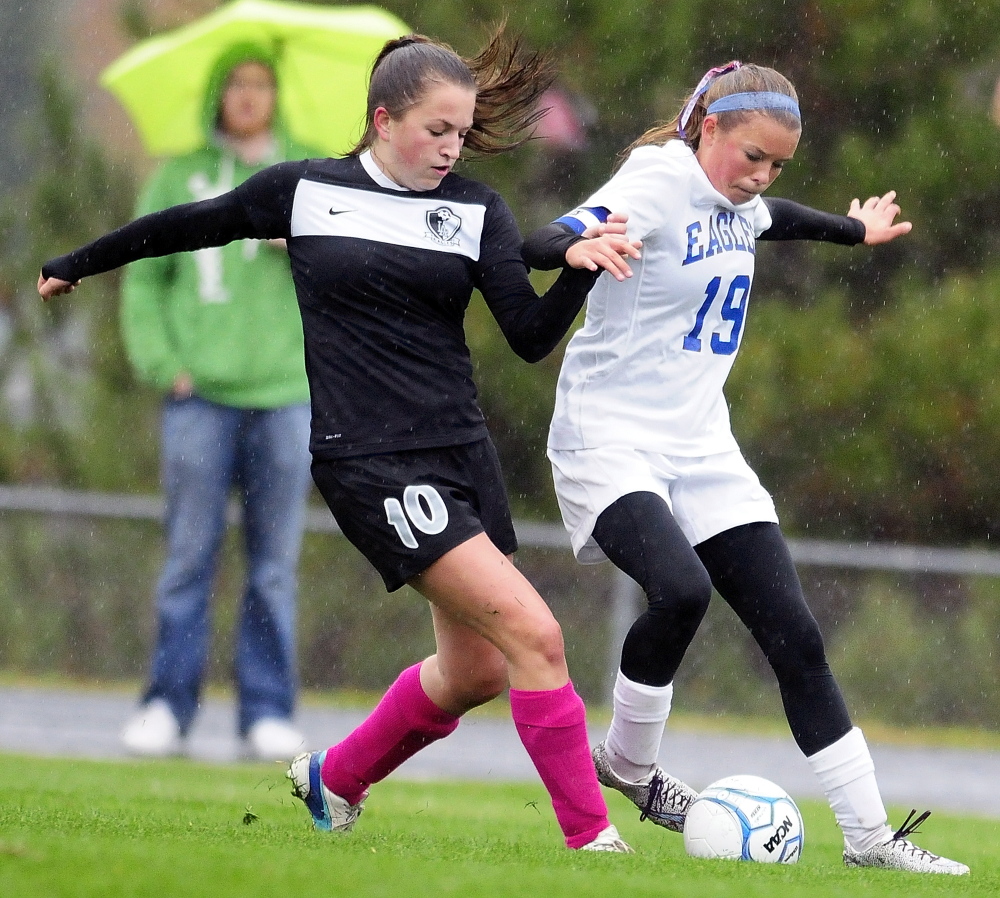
(206, 450)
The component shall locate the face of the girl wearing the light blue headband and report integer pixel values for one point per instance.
(744, 161)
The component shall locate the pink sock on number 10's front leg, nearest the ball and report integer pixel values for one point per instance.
(553, 727)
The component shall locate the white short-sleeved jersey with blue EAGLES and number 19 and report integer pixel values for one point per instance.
(647, 368)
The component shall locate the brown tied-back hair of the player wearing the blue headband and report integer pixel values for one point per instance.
(745, 79)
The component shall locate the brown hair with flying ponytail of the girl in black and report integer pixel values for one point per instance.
(508, 82)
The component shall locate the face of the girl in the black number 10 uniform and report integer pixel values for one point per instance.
(420, 147)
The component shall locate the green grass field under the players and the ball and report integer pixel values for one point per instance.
(176, 828)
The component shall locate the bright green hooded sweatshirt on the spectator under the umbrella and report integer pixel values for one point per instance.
(226, 315)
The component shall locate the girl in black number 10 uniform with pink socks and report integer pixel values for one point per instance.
(386, 246)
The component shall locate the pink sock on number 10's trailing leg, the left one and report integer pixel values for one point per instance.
(404, 722)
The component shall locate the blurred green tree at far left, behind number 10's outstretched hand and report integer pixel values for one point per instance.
(72, 414)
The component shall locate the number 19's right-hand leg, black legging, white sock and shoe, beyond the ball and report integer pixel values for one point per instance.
(752, 569)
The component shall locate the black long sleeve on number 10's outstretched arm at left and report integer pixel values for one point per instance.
(183, 228)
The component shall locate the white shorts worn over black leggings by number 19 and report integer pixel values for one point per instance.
(706, 495)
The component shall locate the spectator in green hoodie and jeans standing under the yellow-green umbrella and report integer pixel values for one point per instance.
(218, 331)
